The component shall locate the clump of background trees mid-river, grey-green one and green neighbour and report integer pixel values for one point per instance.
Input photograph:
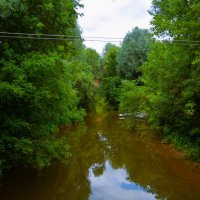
(122, 63)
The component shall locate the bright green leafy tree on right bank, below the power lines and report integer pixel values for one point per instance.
(172, 81)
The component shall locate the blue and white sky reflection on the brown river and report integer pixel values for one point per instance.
(113, 185)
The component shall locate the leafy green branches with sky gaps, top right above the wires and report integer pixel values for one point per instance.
(175, 18)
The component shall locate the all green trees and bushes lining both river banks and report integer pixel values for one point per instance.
(46, 84)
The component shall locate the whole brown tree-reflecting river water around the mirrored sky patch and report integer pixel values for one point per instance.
(105, 138)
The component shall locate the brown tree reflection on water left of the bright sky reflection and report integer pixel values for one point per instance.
(60, 182)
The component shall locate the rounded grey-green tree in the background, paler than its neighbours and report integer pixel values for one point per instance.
(133, 53)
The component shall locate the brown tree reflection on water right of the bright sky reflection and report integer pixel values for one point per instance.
(148, 163)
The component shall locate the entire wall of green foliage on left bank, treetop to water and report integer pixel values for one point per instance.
(42, 85)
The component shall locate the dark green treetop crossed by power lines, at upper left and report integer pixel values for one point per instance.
(43, 17)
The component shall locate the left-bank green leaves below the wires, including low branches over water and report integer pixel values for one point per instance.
(37, 96)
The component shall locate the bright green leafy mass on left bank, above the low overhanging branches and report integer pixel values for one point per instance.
(36, 95)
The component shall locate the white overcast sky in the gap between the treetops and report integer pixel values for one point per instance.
(112, 18)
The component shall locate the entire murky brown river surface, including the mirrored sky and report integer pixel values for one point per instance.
(109, 163)
